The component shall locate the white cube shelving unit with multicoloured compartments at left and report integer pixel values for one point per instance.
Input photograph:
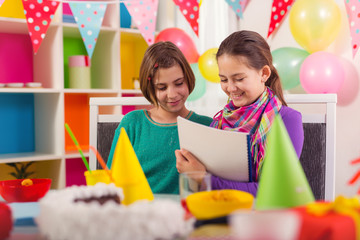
(33, 129)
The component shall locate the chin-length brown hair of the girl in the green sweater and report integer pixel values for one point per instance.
(162, 55)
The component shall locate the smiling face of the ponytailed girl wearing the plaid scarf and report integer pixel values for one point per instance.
(242, 84)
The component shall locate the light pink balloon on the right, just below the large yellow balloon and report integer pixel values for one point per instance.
(322, 72)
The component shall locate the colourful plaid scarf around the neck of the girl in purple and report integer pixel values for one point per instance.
(255, 119)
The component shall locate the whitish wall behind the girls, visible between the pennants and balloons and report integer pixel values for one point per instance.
(217, 21)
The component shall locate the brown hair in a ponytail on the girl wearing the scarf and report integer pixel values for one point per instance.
(256, 50)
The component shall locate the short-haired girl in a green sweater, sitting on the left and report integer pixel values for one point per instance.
(166, 80)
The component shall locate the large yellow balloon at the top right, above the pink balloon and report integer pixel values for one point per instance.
(314, 24)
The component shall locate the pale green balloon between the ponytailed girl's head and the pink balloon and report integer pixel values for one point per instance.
(288, 62)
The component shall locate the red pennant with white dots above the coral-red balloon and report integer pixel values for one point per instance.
(190, 10)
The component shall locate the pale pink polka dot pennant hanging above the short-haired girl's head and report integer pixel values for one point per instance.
(144, 15)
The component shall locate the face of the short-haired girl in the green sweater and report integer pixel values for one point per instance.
(171, 89)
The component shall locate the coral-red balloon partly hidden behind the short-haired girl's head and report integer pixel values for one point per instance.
(182, 40)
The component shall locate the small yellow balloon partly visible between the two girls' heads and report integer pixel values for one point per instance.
(208, 65)
